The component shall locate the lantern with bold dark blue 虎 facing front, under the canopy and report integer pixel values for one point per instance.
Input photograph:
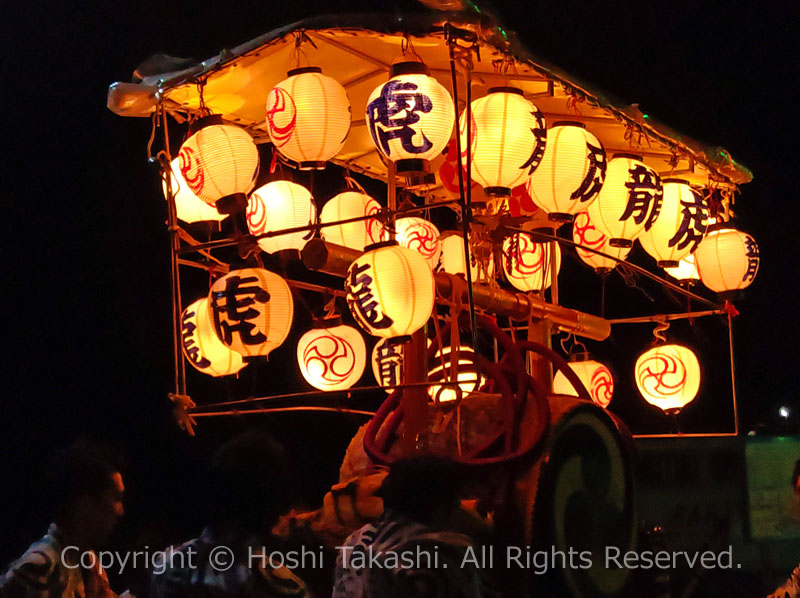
(410, 117)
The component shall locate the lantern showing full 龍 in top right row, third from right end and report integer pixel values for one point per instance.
(629, 201)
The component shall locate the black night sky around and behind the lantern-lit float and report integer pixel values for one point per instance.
(88, 330)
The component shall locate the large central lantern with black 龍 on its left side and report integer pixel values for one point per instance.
(390, 291)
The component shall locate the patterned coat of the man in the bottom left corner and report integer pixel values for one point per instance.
(41, 573)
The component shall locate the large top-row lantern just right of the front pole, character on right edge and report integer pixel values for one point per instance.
(508, 139)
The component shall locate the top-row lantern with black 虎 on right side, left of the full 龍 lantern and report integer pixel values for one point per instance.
(571, 173)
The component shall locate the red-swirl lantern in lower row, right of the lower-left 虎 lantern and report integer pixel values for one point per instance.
(332, 357)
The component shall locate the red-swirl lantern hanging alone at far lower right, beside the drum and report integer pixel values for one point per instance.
(668, 376)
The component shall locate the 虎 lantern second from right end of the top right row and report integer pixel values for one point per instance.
(679, 226)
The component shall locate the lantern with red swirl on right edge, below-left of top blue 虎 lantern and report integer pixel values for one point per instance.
(355, 235)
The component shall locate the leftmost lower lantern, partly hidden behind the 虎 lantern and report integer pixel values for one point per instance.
(201, 347)
